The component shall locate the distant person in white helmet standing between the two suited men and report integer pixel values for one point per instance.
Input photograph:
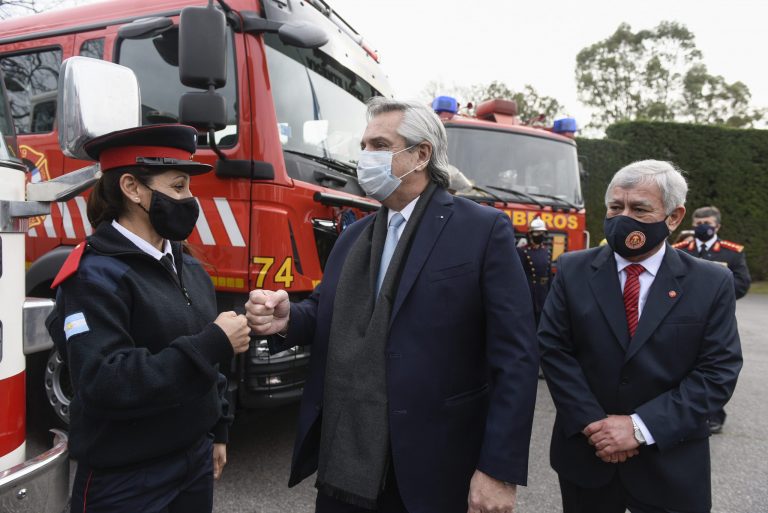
(536, 258)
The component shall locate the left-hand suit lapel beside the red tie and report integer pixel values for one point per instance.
(606, 288)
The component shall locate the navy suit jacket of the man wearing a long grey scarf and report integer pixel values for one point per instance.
(462, 356)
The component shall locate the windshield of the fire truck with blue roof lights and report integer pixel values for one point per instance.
(540, 167)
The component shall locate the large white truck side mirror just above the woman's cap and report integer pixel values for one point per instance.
(95, 97)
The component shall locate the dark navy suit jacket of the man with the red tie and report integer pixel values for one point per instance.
(681, 366)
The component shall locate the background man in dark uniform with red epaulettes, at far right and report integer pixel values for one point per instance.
(707, 245)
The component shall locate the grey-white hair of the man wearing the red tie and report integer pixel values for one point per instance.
(666, 176)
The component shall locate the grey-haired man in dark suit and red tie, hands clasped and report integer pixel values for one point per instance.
(639, 347)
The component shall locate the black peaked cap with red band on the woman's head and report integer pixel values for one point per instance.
(157, 147)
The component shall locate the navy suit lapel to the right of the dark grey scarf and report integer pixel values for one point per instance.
(435, 218)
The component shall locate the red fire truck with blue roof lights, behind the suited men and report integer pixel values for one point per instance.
(524, 170)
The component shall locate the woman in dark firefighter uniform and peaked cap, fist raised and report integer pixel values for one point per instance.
(136, 318)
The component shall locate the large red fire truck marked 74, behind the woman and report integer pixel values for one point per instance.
(277, 90)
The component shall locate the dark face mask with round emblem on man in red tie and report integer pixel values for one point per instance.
(629, 237)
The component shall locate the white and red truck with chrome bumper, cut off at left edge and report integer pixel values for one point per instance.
(30, 480)
